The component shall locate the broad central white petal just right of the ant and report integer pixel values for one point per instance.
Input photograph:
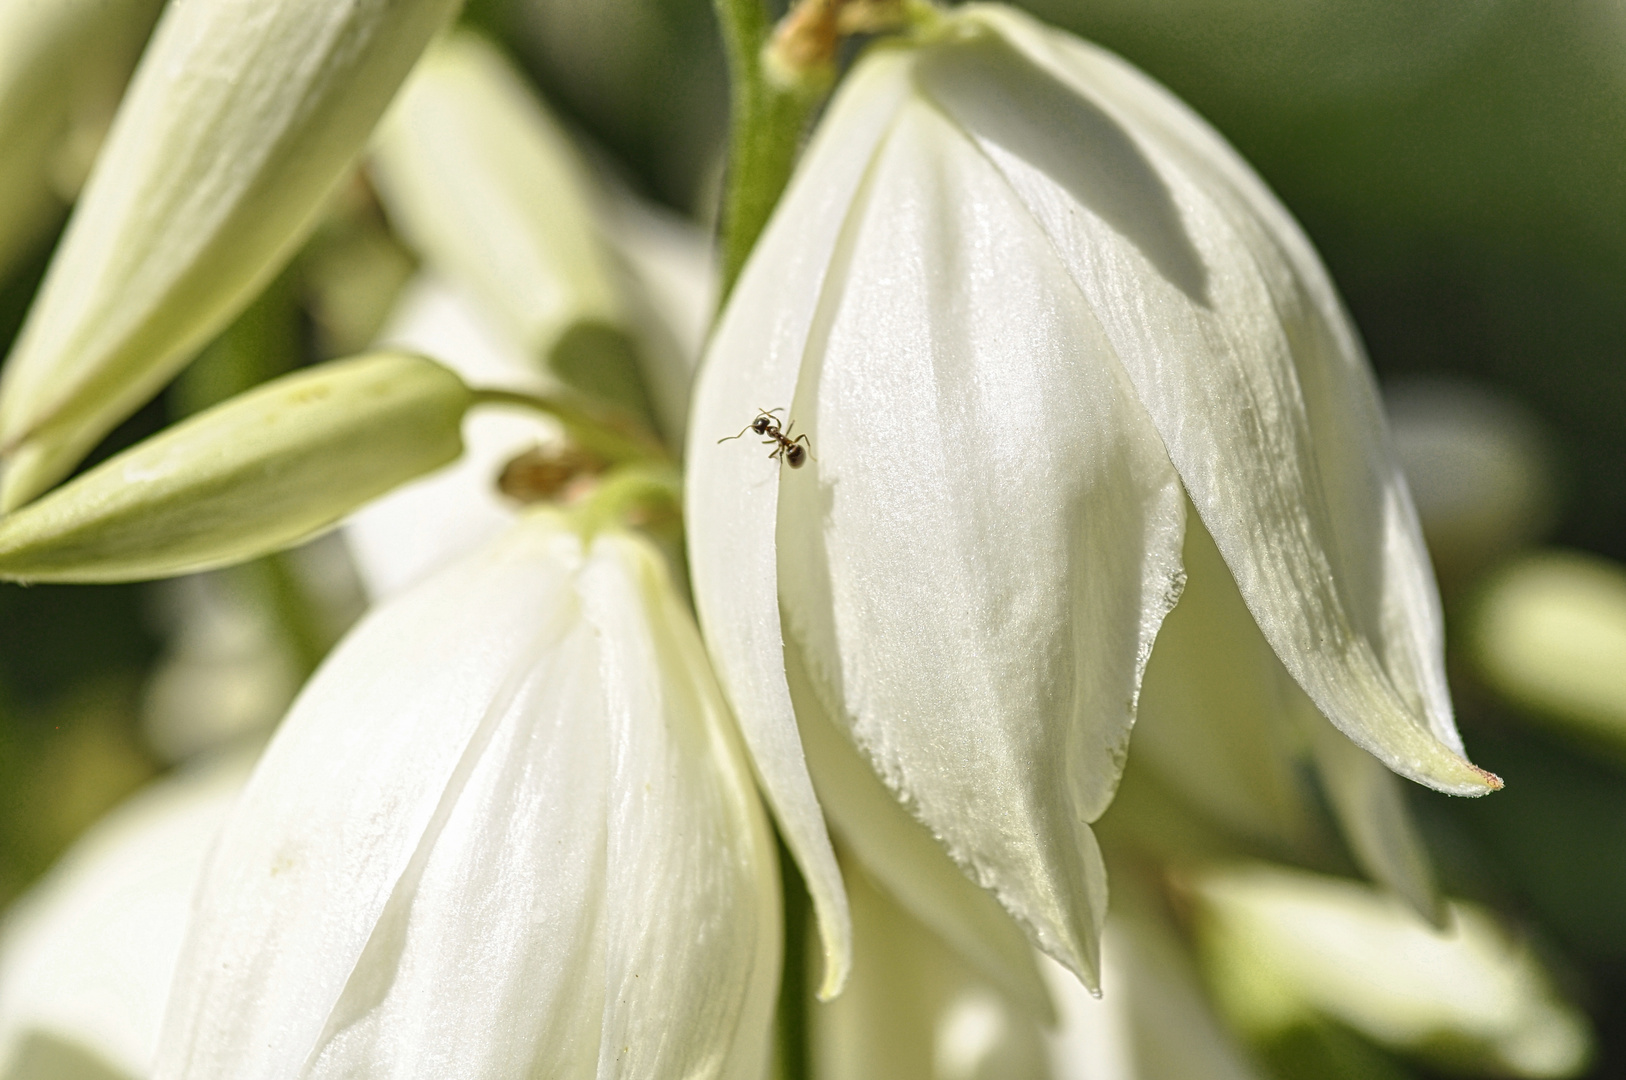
(988, 541)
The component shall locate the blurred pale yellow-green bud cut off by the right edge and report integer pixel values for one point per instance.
(1550, 634)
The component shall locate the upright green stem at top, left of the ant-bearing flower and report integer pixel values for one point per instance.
(765, 133)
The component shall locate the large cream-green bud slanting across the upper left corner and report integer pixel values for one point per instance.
(240, 121)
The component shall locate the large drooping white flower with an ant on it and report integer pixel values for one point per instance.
(1025, 305)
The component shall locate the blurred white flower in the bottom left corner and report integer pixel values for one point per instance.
(87, 956)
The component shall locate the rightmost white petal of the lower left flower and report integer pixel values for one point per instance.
(693, 889)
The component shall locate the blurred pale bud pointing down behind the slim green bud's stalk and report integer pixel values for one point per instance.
(487, 186)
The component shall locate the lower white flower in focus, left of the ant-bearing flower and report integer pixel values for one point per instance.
(505, 830)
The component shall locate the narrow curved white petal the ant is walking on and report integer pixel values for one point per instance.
(733, 494)
